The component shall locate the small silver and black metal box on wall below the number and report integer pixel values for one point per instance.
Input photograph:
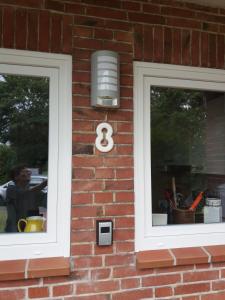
(104, 232)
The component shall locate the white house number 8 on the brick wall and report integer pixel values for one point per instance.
(104, 141)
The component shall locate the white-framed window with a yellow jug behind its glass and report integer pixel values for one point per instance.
(35, 108)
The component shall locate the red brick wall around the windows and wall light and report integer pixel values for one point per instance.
(165, 31)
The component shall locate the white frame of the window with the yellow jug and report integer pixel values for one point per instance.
(56, 241)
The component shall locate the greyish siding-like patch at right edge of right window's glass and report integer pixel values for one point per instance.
(215, 136)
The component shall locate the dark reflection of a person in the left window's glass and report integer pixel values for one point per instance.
(21, 199)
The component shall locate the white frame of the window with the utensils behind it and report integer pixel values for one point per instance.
(148, 237)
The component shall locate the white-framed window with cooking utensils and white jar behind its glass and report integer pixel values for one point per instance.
(179, 123)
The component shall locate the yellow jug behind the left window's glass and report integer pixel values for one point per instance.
(32, 224)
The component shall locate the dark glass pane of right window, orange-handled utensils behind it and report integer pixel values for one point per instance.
(187, 156)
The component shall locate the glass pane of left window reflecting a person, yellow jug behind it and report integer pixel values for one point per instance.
(24, 117)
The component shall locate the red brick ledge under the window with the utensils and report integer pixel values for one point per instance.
(180, 256)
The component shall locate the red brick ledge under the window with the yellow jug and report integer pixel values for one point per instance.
(34, 268)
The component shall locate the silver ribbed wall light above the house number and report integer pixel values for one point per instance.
(105, 85)
